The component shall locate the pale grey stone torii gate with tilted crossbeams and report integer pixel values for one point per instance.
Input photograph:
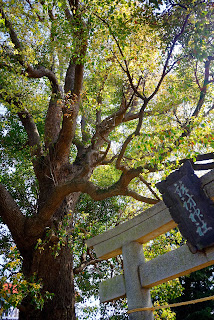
(139, 276)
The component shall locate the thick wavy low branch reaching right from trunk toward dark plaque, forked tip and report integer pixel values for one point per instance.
(35, 225)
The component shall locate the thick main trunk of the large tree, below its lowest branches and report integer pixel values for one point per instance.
(52, 262)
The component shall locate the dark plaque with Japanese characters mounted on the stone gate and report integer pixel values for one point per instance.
(189, 207)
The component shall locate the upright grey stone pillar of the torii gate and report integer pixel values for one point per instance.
(137, 297)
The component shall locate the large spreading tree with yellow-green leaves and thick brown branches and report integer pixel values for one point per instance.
(93, 87)
